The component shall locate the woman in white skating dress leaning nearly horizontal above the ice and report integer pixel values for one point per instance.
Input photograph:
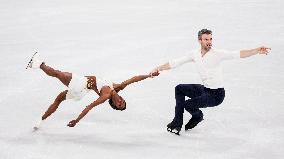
(78, 86)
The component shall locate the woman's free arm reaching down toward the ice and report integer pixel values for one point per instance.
(99, 101)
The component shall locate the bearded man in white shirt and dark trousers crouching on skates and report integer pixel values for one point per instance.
(211, 93)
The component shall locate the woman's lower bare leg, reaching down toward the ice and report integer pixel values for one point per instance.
(52, 108)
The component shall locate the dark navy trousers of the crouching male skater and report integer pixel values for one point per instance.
(199, 97)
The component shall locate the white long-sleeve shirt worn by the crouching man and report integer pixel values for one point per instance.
(209, 66)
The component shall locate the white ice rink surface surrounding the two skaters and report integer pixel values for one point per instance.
(118, 39)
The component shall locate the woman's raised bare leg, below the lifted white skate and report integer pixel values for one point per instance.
(64, 77)
